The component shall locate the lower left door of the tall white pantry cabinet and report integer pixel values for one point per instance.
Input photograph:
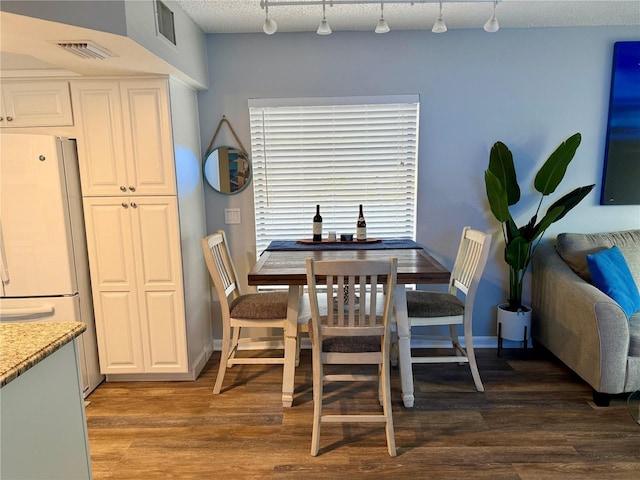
(113, 281)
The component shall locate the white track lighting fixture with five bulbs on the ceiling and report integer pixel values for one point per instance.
(270, 27)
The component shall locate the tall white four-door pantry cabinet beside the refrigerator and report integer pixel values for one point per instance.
(148, 278)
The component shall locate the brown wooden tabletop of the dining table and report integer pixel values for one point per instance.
(288, 267)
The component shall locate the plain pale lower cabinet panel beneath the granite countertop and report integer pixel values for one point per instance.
(44, 429)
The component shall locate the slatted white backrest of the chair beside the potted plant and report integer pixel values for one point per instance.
(471, 259)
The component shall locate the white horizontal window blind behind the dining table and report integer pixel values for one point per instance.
(338, 153)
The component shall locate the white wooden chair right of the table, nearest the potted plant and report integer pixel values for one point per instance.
(433, 308)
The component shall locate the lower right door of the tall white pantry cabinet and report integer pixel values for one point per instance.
(158, 263)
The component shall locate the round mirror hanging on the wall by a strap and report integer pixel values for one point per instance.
(227, 169)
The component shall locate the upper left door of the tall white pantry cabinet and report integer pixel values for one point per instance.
(101, 152)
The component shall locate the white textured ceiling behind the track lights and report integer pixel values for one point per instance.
(245, 16)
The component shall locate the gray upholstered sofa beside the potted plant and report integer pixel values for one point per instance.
(583, 327)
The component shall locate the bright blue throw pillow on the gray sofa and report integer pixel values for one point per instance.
(610, 273)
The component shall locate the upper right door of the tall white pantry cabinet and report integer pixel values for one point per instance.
(147, 135)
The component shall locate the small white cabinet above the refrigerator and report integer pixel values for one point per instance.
(35, 104)
